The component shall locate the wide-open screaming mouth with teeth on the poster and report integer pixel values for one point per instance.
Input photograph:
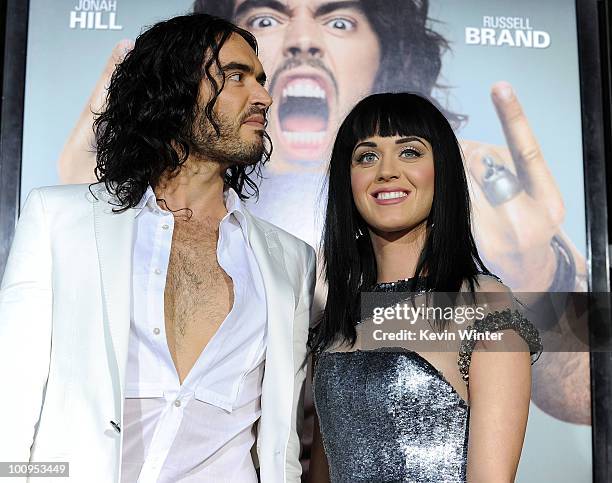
(303, 117)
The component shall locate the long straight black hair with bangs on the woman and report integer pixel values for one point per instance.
(449, 256)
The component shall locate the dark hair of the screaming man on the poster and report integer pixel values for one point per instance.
(411, 52)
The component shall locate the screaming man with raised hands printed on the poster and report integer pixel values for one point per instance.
(322, 57)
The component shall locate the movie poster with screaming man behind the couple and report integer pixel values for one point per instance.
(505, 73)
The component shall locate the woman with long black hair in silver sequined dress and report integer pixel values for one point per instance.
(398, 220)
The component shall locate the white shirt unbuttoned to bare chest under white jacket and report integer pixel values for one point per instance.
(203, 429)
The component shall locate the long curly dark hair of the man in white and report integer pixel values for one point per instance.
(145, 129)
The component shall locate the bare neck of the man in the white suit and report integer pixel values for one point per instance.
(197, 187)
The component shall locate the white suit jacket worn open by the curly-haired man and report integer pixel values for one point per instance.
(64, 327)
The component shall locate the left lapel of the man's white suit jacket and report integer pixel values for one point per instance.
(114, 240)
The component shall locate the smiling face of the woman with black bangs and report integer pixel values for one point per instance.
(392, 179)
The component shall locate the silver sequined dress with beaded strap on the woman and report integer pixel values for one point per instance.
(388, 415)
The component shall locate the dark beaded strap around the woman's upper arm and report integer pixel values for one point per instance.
(493, 322)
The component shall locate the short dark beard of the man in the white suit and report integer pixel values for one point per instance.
(227, 147)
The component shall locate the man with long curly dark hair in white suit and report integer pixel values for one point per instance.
(138, 316)
